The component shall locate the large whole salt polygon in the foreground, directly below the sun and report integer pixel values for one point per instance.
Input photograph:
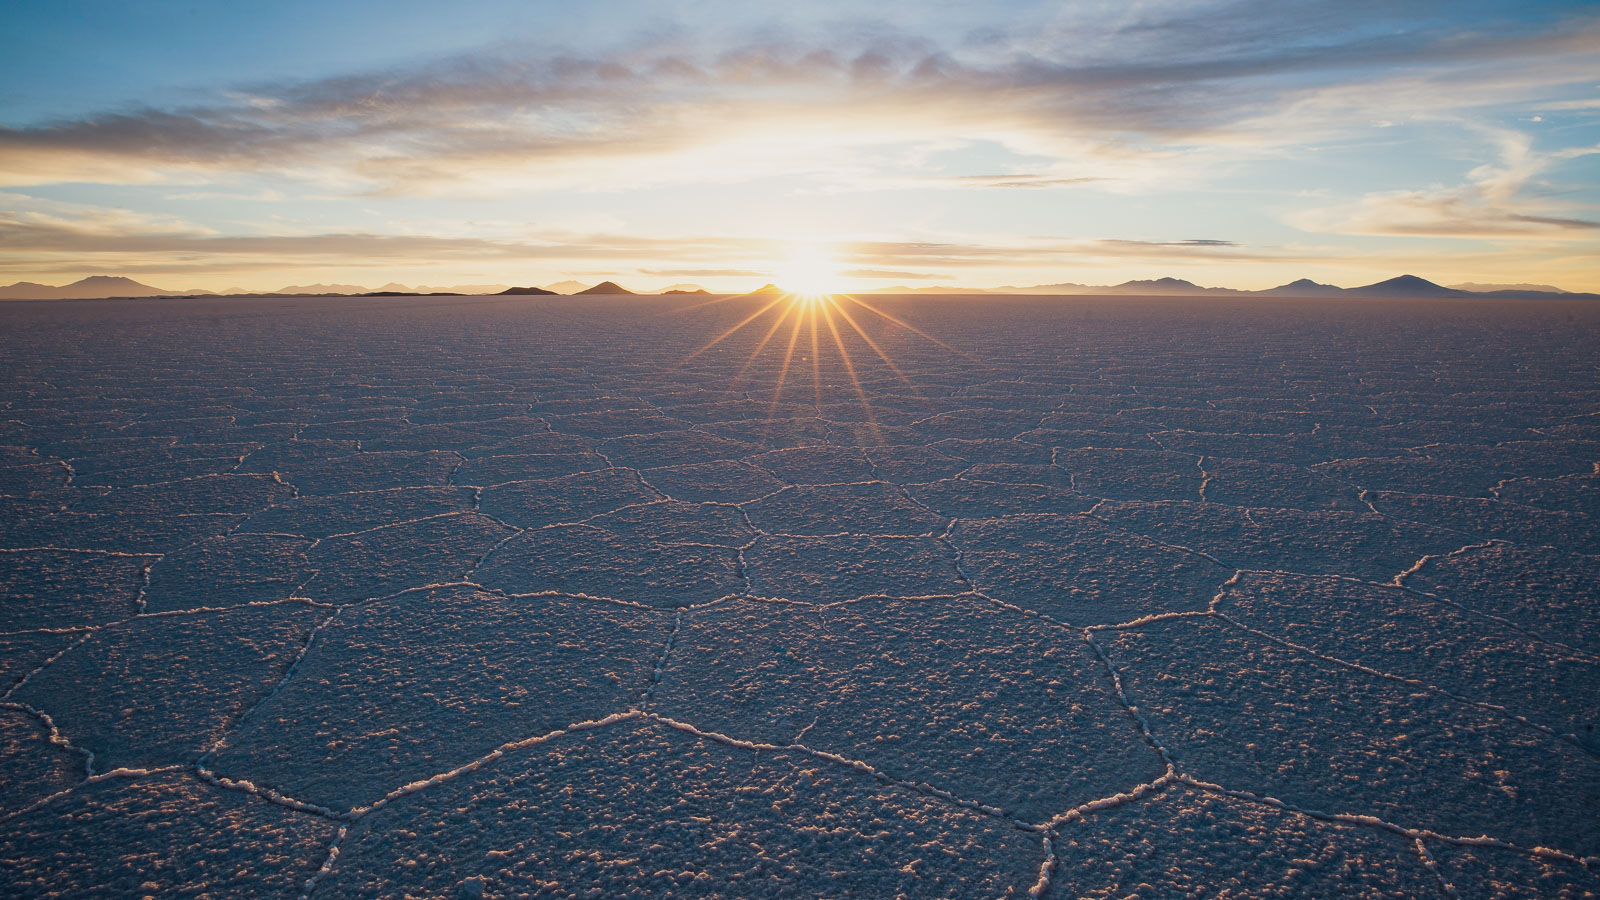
(914, 688)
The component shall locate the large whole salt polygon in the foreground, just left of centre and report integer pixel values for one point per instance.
(369, 709)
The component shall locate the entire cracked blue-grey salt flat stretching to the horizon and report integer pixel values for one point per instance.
(977, 598)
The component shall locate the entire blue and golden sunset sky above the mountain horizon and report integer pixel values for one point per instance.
(844, 147)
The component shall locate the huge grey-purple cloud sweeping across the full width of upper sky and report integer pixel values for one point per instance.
(1134, 103)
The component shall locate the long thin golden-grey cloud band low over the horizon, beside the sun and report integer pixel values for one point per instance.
(54, 235)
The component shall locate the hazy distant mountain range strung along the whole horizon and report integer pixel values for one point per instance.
(97, 287)
